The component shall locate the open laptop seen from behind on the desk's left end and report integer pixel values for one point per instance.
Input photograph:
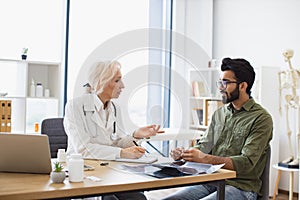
(24, 153)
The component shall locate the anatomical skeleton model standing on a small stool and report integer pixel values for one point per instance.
(289, 81)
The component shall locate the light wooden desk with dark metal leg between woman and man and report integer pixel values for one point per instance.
(37, 186)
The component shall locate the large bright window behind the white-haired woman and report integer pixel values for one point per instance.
(100, 30)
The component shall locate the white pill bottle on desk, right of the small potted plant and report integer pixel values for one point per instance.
(75, 166)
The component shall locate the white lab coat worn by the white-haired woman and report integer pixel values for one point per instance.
(89, 134)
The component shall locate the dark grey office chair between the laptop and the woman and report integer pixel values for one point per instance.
(54, 128)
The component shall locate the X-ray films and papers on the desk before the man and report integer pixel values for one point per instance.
(173, 169)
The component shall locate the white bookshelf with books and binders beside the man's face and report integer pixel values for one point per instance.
(204, 96)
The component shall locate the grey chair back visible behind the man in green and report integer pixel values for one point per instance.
(265, 178)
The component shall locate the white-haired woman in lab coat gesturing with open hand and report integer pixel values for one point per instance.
(94, 126)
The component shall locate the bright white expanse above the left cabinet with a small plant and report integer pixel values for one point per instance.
(37, 25)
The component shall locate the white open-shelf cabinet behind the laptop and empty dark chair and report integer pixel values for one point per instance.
(15, 80)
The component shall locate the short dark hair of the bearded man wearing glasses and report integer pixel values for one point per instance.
(242, 69)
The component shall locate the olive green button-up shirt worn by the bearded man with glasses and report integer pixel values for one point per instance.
(244, 136)
